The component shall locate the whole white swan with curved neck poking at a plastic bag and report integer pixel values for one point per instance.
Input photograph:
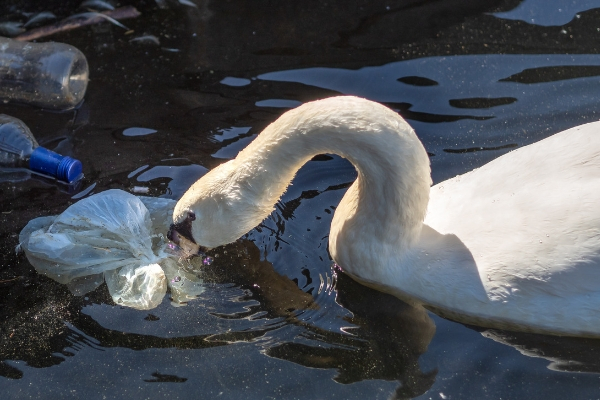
(514, 244)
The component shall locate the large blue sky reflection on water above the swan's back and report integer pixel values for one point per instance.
(485, 102)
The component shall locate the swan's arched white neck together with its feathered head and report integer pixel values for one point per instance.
(381, 212)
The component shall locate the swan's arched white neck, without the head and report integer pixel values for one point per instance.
(388, 201)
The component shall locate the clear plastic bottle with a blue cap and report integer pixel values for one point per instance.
(19, 149)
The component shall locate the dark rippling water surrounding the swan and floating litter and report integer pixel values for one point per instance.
(474, 78)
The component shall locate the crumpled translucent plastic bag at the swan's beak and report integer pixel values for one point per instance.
(112, 236)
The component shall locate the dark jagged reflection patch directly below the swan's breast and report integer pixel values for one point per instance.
(386, 344)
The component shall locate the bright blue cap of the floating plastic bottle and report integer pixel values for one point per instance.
(50, 163)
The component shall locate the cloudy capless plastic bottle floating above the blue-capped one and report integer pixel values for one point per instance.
(49, 75)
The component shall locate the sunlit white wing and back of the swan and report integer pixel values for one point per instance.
(531, 218)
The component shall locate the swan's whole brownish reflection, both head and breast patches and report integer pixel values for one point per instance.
(387, 339)
